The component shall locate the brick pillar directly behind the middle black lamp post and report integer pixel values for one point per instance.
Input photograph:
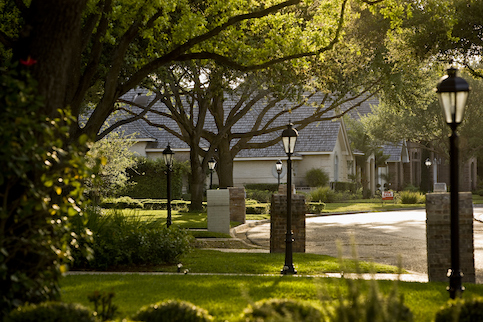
(278, 223)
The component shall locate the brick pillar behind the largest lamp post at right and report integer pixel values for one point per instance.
(438, 236)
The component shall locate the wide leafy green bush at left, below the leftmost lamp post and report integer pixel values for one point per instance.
(128, 240)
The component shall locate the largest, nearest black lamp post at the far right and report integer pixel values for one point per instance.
(452, 93)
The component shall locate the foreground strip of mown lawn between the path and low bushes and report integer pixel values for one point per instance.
(225, 297)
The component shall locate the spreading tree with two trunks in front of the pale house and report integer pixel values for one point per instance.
(351, 71)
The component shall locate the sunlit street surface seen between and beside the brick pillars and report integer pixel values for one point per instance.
(383, 237)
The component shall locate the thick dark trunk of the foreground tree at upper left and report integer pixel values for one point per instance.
(51, 37)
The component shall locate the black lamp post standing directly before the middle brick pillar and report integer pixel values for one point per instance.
(289, 137)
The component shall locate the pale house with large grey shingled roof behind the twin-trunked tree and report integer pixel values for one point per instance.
(322, 144)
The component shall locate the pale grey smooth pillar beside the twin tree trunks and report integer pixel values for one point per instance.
(218, 209)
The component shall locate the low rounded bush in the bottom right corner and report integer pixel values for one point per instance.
(461, 310)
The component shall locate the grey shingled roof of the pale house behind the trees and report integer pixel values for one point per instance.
(317, 137)
